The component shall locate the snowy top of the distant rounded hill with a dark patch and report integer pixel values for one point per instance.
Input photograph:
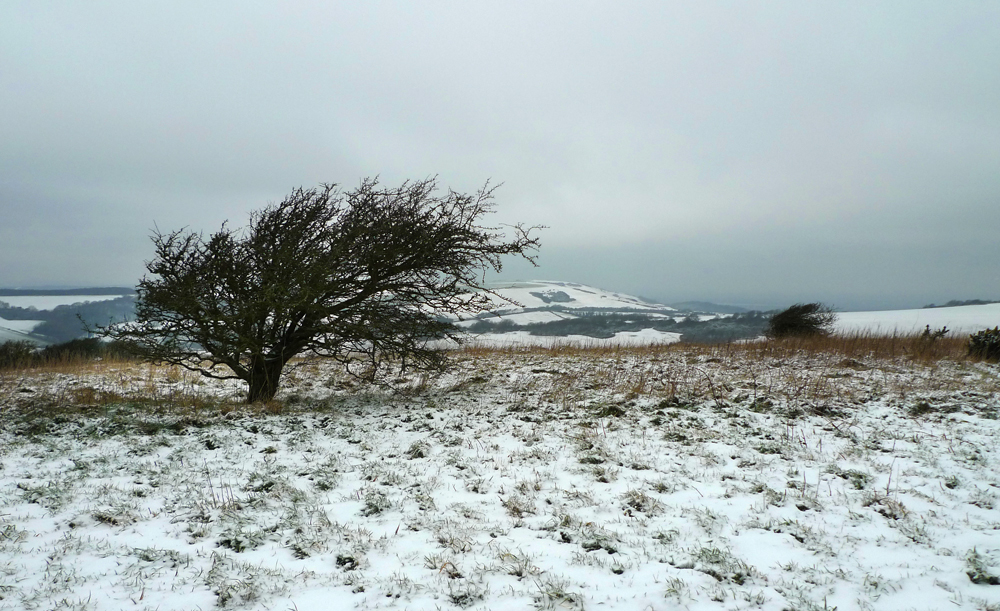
(568, 295)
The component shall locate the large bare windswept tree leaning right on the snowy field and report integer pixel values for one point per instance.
(366, 273)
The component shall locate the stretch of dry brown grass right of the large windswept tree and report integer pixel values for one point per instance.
(787, 375)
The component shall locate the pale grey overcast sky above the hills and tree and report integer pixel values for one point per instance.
(750, 153)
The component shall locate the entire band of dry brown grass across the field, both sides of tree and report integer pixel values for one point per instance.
(794, 373)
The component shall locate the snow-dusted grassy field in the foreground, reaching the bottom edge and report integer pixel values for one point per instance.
(655, 479)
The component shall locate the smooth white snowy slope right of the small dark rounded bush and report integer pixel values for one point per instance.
(960, 319)
